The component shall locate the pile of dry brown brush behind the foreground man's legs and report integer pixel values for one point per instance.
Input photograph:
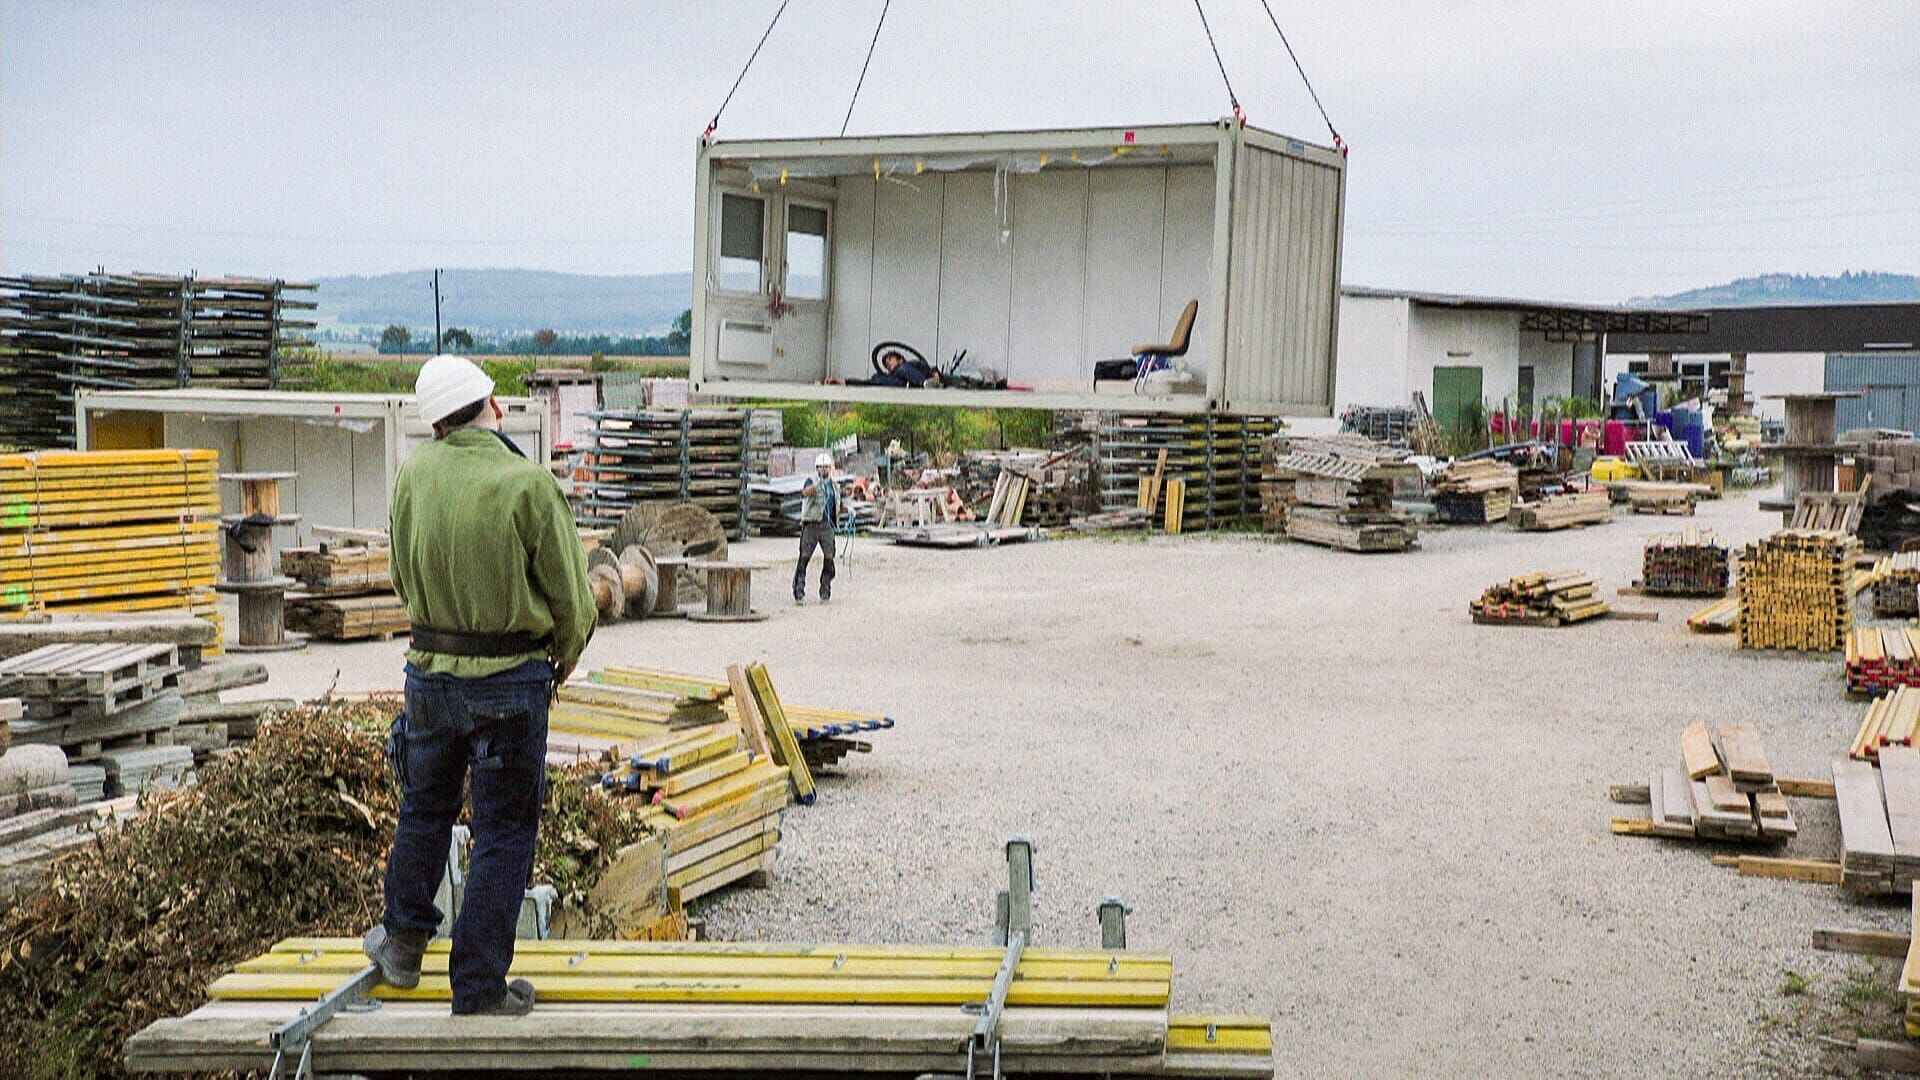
(285, 839)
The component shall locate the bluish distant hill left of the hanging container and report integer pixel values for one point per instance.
(508, 301)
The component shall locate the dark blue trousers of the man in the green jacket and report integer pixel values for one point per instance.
(496, 727)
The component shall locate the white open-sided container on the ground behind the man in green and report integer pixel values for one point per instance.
(347, 449)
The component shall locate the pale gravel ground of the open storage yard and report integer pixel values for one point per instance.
(1330, 795)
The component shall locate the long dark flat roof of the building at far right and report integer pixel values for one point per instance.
(1788, 328)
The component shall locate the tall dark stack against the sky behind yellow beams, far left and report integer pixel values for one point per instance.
(137, 331)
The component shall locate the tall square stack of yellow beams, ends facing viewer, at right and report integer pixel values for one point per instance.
(1796, 591)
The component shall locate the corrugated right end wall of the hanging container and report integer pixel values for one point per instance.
(1284, 264)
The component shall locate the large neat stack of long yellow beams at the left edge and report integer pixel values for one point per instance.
(110, 531)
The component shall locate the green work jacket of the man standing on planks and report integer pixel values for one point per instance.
(485, 543)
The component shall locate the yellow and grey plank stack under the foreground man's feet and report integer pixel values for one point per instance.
(725, 1010)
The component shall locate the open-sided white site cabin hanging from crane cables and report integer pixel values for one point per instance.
(1038, 253)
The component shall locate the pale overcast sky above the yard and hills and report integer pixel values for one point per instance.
(1583, 151)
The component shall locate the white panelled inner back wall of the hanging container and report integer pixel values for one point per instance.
(1093, 262)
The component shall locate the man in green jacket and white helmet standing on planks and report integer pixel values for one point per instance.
(489, 562)
